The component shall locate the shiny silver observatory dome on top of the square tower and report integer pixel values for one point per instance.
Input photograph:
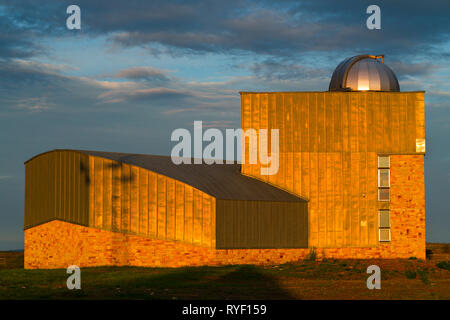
(363, 73)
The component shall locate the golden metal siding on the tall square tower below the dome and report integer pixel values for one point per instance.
(356, 125)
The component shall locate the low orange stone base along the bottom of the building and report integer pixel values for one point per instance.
(59, 244)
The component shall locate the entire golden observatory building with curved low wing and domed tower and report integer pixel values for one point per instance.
(350, 184)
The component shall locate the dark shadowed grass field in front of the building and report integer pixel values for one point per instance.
(328, 279)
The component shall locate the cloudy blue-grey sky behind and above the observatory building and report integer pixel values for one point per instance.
(139, 69)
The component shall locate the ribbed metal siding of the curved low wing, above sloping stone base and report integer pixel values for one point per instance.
(110, 195)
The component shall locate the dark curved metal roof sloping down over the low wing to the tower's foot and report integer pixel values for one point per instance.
(222, 181)
